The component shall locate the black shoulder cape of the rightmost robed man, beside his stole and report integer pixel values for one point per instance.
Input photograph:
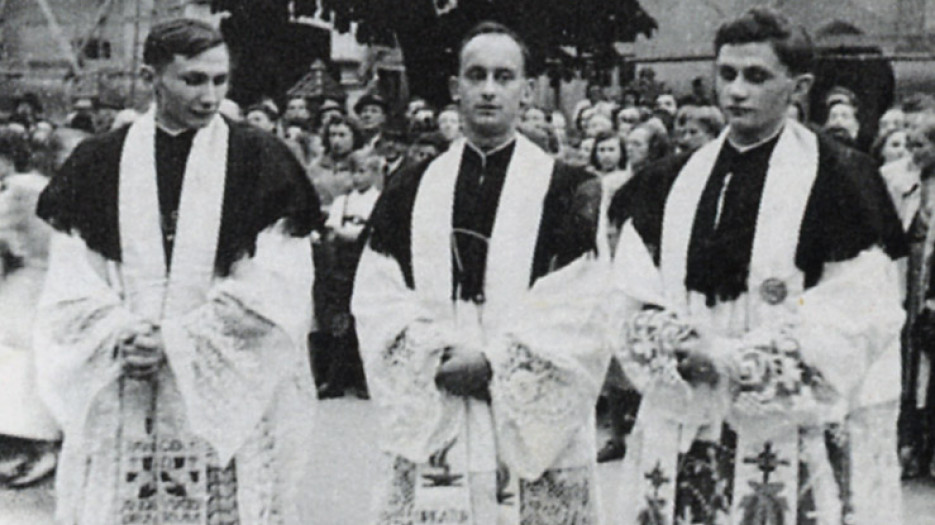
(849, 209)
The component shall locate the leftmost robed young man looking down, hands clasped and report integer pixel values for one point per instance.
(171, 329)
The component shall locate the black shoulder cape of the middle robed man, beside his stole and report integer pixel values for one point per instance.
(568, 228)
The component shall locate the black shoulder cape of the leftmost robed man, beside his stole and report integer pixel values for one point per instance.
(264, 183)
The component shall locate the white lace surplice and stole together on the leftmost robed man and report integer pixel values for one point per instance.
(236, 385)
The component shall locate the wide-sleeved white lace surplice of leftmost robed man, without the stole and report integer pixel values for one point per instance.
(238, 349)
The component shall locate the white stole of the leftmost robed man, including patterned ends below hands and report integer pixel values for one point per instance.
(153, 426)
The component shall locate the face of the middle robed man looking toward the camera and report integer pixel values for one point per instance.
(491, 87)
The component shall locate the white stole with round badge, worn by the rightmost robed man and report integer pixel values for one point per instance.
(790, 177)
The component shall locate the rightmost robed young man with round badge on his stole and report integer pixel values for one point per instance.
(763, 312)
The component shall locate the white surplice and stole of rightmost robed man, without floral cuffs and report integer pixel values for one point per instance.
(847, 327)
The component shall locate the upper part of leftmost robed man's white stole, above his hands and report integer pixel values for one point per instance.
(150, 291)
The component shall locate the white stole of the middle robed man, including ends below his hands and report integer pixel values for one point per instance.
(509, 265)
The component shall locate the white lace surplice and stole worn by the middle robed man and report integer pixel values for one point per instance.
(529, 455)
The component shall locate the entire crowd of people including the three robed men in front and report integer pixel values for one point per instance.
(634, 265)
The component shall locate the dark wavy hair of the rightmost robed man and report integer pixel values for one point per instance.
(791, 43)
